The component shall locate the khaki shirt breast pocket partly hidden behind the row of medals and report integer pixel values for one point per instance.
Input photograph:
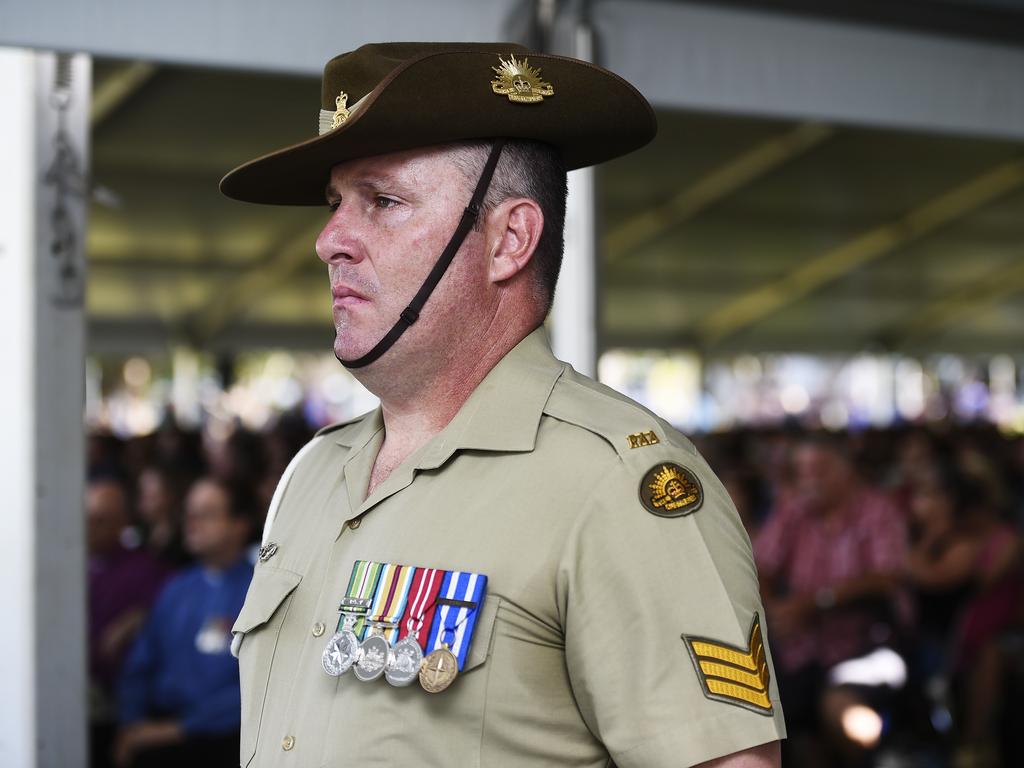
(408, 727)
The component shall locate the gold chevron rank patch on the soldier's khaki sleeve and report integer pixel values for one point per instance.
(737, 676)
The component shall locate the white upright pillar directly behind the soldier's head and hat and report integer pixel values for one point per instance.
(574, 317)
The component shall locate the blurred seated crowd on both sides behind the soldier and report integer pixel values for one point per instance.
(890, 564)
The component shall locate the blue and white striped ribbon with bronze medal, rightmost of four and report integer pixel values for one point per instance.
(458, 607)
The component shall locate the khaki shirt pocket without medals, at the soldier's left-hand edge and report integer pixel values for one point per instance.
(260, 623)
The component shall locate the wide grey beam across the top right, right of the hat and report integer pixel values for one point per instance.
(717, 58)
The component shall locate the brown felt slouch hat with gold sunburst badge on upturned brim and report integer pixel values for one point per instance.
(405, 96)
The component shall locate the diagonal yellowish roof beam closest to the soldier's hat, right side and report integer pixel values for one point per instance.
(714, 187)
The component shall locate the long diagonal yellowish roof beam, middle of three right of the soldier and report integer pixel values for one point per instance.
(870, 246)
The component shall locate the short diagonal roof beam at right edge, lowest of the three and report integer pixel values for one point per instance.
(948, 311)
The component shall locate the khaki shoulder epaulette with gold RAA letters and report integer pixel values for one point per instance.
(625, 424)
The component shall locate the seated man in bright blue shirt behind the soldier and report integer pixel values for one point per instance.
(180, 697)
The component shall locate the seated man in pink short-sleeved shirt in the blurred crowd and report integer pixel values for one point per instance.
(830, 560)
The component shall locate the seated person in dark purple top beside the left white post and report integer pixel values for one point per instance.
(123, 584)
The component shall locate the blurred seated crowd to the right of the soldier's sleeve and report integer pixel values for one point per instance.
(890, 564)
